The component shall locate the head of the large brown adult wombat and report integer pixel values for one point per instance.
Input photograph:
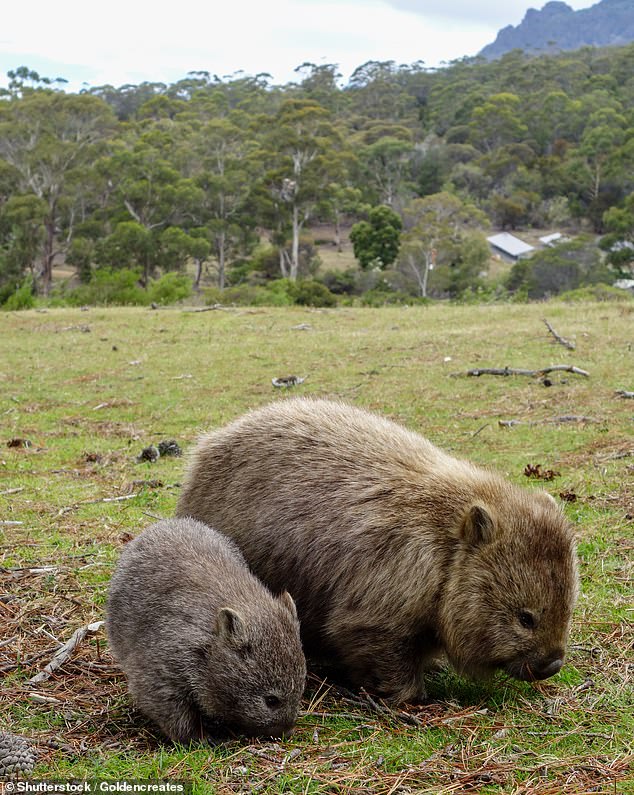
(512, 589)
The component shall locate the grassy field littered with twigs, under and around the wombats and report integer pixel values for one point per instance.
(83, 392)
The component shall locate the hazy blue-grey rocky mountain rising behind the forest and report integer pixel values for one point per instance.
(557, 27)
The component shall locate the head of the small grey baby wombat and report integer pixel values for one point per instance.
(255, 668)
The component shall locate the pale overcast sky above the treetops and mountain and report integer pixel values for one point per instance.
(131, 41)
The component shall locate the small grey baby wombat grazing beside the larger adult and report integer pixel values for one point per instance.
(205, 646)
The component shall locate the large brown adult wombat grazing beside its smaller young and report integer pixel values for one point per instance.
(394, 551)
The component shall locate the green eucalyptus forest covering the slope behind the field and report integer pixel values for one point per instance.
(231, 187)
